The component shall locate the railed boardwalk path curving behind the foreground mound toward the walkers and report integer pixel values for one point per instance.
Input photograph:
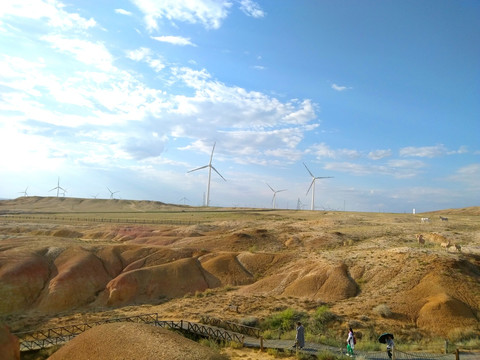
(221, 331)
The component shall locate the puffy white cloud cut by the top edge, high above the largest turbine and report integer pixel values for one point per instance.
(208, 13)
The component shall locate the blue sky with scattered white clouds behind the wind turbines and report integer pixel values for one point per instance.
(128, 96)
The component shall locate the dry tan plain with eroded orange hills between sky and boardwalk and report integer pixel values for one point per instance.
(70, 260)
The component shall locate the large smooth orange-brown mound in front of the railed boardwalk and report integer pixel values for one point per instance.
(132, 341)
